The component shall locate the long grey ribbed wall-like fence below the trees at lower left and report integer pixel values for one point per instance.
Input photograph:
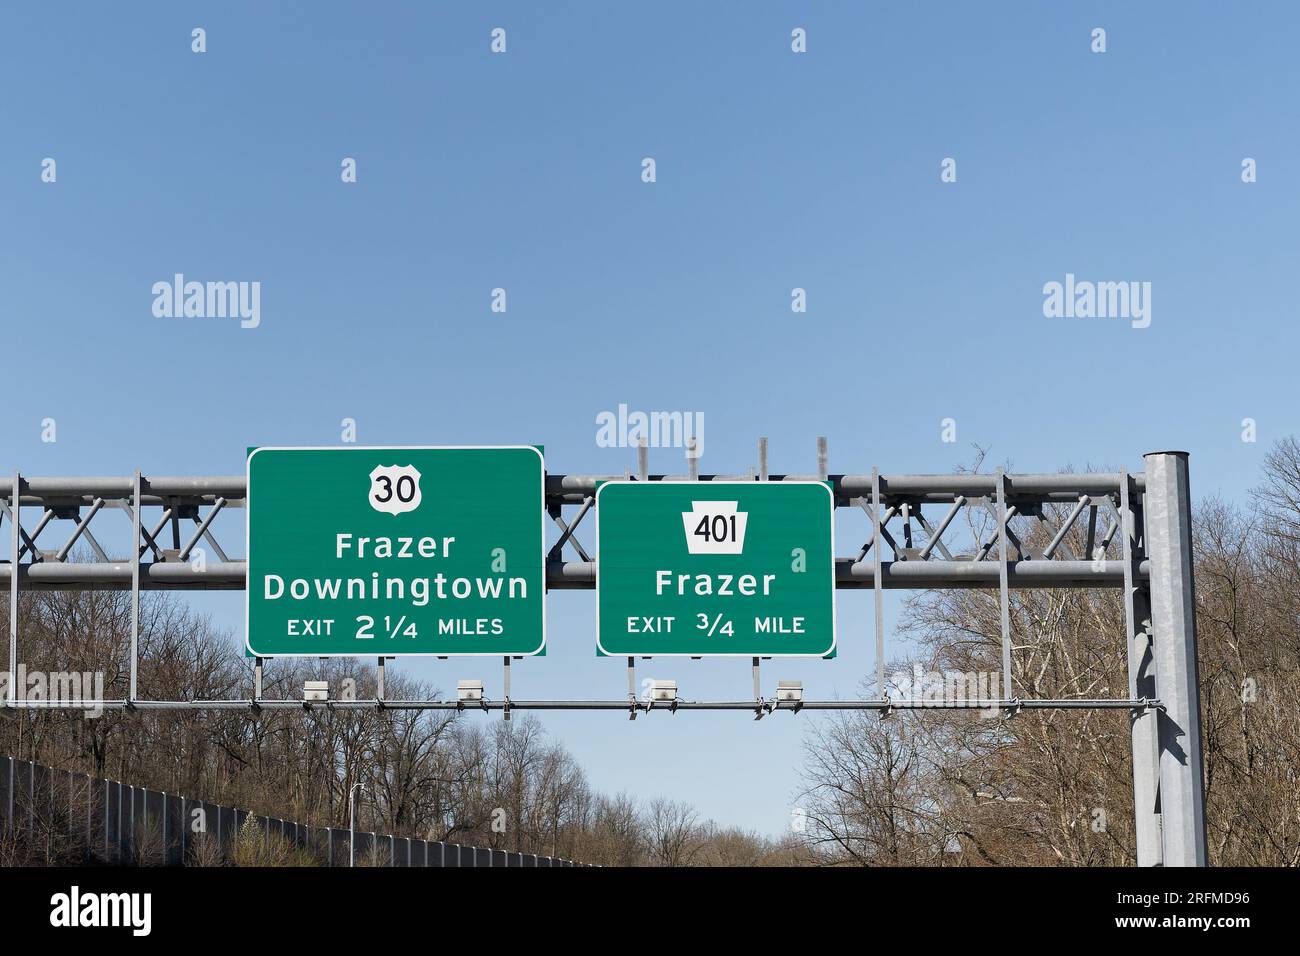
(116, 824)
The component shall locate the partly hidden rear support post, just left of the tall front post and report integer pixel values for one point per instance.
(1143, 723)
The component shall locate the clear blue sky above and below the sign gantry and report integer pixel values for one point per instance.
(775, 171)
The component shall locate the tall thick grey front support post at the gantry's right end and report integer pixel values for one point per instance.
(1168, 514)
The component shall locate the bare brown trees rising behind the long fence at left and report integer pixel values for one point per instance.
(432, 775)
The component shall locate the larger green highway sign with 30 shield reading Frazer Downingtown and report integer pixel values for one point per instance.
(396, 552)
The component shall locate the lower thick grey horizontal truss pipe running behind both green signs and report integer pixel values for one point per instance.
(580, 576)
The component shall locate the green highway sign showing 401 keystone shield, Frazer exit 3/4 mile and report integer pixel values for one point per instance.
(716, 569)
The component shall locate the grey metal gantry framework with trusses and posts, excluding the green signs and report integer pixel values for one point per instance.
(994, 531)
